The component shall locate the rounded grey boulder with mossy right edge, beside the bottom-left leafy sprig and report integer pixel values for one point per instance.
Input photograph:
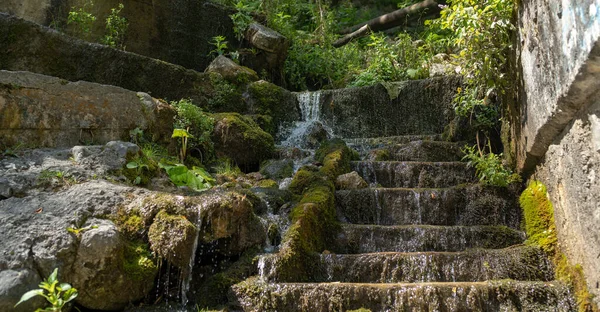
(104, 273)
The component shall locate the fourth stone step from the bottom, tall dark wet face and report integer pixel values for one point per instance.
(463, 205)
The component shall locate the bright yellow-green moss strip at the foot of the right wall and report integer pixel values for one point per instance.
(541, 230)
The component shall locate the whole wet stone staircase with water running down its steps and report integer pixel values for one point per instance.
(422, 237)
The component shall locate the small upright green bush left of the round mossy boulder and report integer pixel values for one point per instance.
(194, 127)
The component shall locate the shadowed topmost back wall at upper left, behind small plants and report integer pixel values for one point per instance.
(177, 32)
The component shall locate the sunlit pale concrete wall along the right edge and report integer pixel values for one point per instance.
(557, 132)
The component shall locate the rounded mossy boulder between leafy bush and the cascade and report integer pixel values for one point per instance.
(242, 140)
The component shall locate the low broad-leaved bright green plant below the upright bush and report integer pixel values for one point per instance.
(196, 178)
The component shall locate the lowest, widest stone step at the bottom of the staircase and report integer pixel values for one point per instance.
(507, 295)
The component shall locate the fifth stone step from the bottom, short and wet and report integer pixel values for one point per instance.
(414, 174)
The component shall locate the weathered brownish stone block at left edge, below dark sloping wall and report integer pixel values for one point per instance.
(40, 110)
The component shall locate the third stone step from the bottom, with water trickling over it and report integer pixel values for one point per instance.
(354, 238)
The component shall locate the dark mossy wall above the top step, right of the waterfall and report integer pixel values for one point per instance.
(410, 107)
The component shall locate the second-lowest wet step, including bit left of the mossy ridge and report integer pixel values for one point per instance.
(517, 262)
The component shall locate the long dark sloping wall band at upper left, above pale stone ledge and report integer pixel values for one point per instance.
(30, 47)
